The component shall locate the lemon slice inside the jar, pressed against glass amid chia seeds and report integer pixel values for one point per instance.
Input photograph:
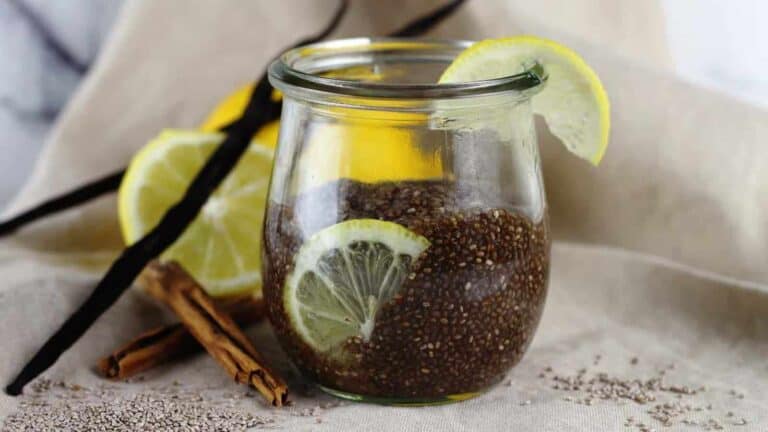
(343, 275)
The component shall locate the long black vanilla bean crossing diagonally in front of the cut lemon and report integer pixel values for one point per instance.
(135, 257)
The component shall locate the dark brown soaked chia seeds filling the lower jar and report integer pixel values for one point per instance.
(465, 313)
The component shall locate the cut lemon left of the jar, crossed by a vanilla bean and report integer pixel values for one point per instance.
(221, 248)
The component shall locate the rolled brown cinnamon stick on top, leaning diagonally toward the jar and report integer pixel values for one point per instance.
(214, 329)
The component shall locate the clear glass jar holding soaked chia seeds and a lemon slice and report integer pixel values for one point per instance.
(406, 242)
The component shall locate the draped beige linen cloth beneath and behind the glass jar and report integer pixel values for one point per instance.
(661, 252)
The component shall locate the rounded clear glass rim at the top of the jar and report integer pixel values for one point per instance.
(301, 67)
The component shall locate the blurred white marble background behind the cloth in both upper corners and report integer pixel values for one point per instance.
(48, 46)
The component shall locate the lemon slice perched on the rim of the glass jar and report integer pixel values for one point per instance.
(573, 101)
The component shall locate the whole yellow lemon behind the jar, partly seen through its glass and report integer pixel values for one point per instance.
(368, 146)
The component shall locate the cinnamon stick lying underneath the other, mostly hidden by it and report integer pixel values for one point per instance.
(162, 344)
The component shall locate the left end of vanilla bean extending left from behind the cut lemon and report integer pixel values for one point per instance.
(94, 189)
